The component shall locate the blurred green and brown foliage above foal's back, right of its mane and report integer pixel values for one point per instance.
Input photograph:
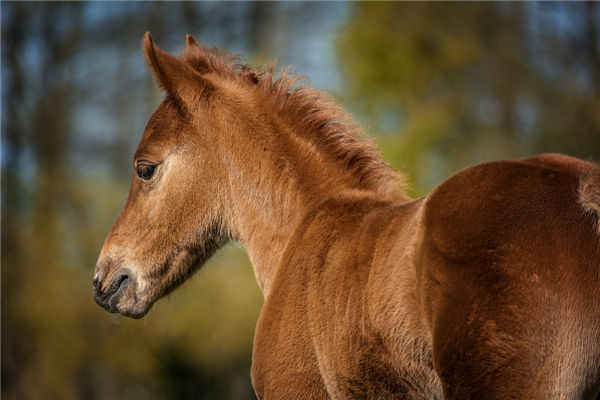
(447, 85)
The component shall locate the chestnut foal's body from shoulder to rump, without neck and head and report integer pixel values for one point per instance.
(379, 290)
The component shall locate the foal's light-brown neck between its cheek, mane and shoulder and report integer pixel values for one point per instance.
(274, 180)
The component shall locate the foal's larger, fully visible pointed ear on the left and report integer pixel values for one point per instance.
(173, 76)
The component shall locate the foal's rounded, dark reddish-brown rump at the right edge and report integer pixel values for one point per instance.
(510, 279)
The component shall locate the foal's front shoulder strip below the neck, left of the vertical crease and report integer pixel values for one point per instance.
(285, 360)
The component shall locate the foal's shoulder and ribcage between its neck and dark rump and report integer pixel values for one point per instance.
(335, 308)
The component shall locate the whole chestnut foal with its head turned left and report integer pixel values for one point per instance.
(487, 288)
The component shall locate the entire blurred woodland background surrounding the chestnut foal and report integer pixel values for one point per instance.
(441, 86)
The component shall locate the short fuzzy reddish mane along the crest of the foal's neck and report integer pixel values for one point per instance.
(315, 115)
